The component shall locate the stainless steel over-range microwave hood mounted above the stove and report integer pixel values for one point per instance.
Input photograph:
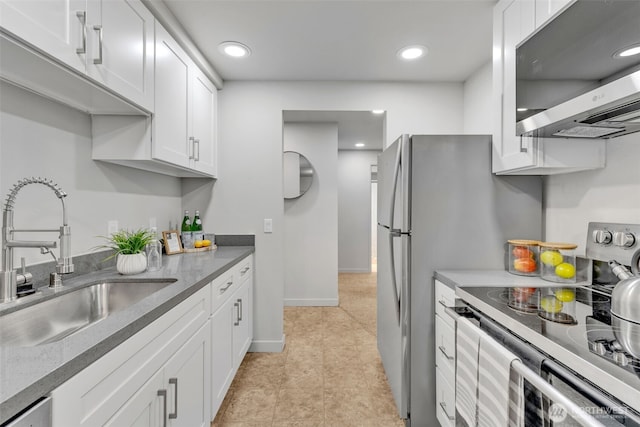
(572, 81)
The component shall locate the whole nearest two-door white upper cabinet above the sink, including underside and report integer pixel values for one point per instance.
(85, 54)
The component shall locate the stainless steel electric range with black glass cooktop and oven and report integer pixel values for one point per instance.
(579, 367)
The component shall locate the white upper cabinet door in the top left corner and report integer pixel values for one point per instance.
(56, 27)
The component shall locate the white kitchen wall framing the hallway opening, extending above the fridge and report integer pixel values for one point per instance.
(249, 188)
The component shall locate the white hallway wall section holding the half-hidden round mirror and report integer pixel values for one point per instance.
(311, 221)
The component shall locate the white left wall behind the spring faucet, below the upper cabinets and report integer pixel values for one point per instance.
(39, 137)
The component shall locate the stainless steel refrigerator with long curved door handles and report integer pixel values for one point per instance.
(439, 207)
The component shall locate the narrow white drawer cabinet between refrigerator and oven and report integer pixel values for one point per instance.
(445, 348)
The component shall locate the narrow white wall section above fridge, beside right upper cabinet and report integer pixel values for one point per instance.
(478, 114)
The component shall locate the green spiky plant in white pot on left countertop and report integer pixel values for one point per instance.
(129, 250)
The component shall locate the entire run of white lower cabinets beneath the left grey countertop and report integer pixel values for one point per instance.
(174, 372)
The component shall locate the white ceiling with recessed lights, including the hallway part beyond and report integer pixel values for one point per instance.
(348, 40)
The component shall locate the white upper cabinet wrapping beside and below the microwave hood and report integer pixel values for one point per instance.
(513, 22)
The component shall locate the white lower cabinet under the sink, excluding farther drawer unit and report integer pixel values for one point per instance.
(127, 386)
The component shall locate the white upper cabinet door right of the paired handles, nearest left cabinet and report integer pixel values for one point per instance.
(121, 48)
